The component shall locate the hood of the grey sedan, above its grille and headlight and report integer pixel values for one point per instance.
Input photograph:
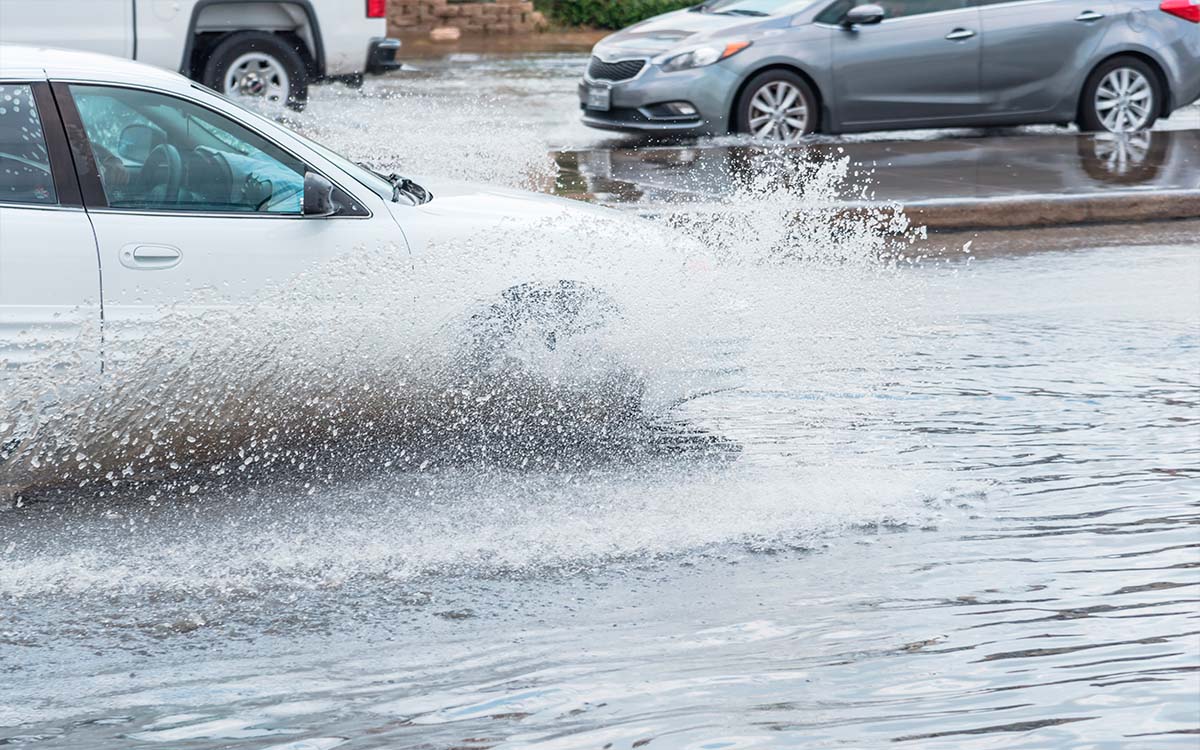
(671, 31)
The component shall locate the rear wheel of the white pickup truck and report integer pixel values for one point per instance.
(257, 65)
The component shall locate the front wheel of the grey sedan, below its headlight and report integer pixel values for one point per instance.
(764, 115)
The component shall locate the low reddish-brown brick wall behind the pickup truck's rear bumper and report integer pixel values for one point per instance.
(496, 17)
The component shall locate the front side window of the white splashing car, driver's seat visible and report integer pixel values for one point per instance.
(163, 153)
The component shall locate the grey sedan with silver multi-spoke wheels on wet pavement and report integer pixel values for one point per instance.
(784, 69)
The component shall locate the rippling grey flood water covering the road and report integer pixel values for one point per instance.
(951, 503)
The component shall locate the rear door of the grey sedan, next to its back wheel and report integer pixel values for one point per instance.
(1036, 53)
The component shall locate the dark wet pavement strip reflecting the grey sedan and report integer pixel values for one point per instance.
(905, 171)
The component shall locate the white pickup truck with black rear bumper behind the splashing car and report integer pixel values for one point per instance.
(242, 49)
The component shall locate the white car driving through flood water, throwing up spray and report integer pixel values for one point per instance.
(129, 194)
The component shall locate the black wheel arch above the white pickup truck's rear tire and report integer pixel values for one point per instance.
(199, 41)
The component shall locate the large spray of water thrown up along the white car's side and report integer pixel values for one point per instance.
(361, 371)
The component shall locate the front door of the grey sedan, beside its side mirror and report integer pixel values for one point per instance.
(920, 67)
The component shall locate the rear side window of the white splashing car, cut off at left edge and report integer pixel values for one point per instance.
(26, 173)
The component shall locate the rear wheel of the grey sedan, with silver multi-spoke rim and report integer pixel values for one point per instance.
(1124, 113)
